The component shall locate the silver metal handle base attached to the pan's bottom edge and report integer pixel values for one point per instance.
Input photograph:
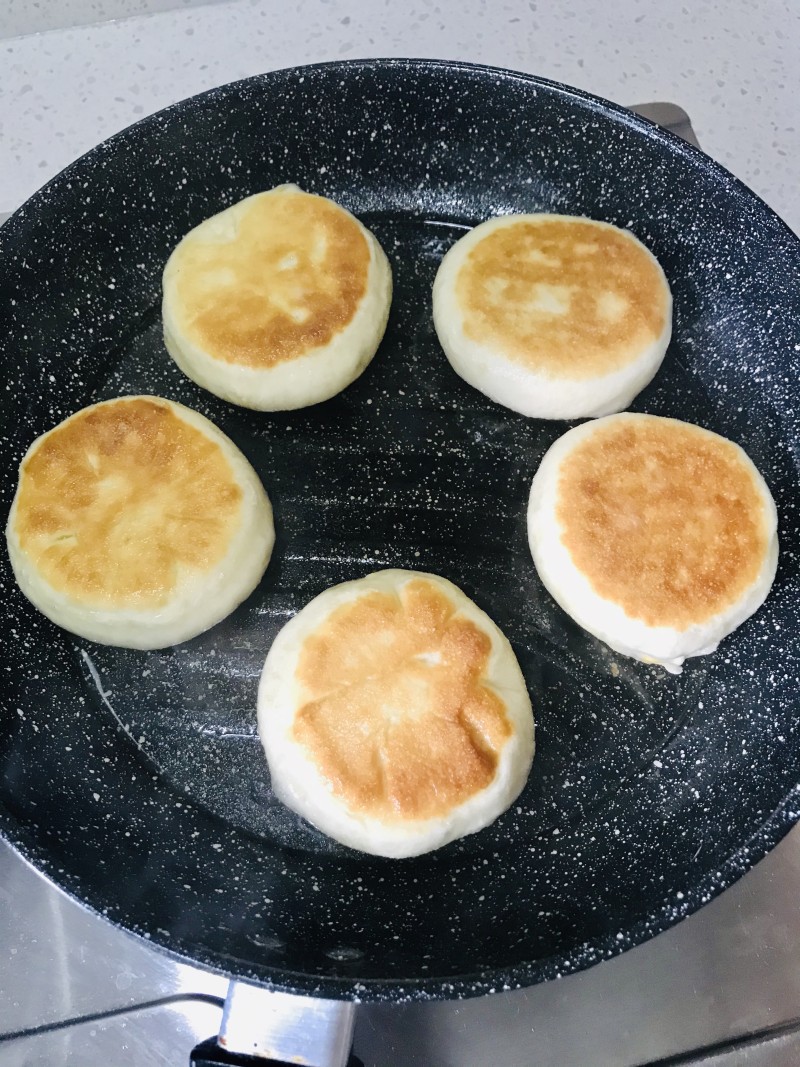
(275, 1027)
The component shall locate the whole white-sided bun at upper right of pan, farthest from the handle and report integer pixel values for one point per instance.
(553, 316)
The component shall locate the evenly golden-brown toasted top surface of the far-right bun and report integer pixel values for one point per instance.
(663, 519)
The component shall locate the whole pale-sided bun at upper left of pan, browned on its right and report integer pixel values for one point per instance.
(278, 302)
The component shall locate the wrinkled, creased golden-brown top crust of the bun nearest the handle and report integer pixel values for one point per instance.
(398, 719)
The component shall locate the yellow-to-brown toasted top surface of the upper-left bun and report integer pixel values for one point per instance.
(289, 282)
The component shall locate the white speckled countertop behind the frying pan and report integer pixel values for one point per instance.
(732, 65)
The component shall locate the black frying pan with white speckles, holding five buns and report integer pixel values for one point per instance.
(136, 781)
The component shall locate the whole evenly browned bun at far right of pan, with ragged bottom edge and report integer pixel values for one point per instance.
(657, 536)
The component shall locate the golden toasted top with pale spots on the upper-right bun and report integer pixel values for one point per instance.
(565, 299)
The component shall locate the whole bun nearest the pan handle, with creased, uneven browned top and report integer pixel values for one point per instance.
(394, 715)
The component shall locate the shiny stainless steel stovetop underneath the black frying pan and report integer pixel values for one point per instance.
(723, 989)
